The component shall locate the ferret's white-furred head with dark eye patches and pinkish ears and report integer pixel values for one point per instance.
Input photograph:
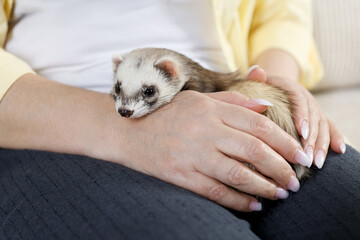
(144, 81)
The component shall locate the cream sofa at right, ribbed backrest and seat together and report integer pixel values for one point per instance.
(337, 33)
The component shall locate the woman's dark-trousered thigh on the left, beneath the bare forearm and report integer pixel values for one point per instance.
(57, 196)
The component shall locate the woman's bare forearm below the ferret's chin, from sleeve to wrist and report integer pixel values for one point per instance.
(37, 113)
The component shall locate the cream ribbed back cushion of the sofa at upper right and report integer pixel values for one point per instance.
(337, 34)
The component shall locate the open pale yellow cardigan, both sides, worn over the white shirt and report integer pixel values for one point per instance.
(246, 29)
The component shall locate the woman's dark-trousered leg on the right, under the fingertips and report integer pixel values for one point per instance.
(325, 207)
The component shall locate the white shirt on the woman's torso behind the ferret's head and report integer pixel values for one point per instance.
(73, 41)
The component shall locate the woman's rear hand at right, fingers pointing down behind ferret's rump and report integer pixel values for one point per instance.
(317, 131)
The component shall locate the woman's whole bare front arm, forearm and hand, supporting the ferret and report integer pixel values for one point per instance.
(194, 142)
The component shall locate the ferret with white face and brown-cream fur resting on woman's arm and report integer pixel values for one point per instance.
(148, 78)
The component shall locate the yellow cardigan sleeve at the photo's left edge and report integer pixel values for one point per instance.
(11, 67)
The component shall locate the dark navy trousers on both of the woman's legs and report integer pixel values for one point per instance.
(56, 196)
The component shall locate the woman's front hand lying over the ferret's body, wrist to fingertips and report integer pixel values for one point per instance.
(197, 142)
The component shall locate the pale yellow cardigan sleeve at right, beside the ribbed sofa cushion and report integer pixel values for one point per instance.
(286, 25)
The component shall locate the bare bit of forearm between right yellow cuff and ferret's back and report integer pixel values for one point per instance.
(278, 63)
